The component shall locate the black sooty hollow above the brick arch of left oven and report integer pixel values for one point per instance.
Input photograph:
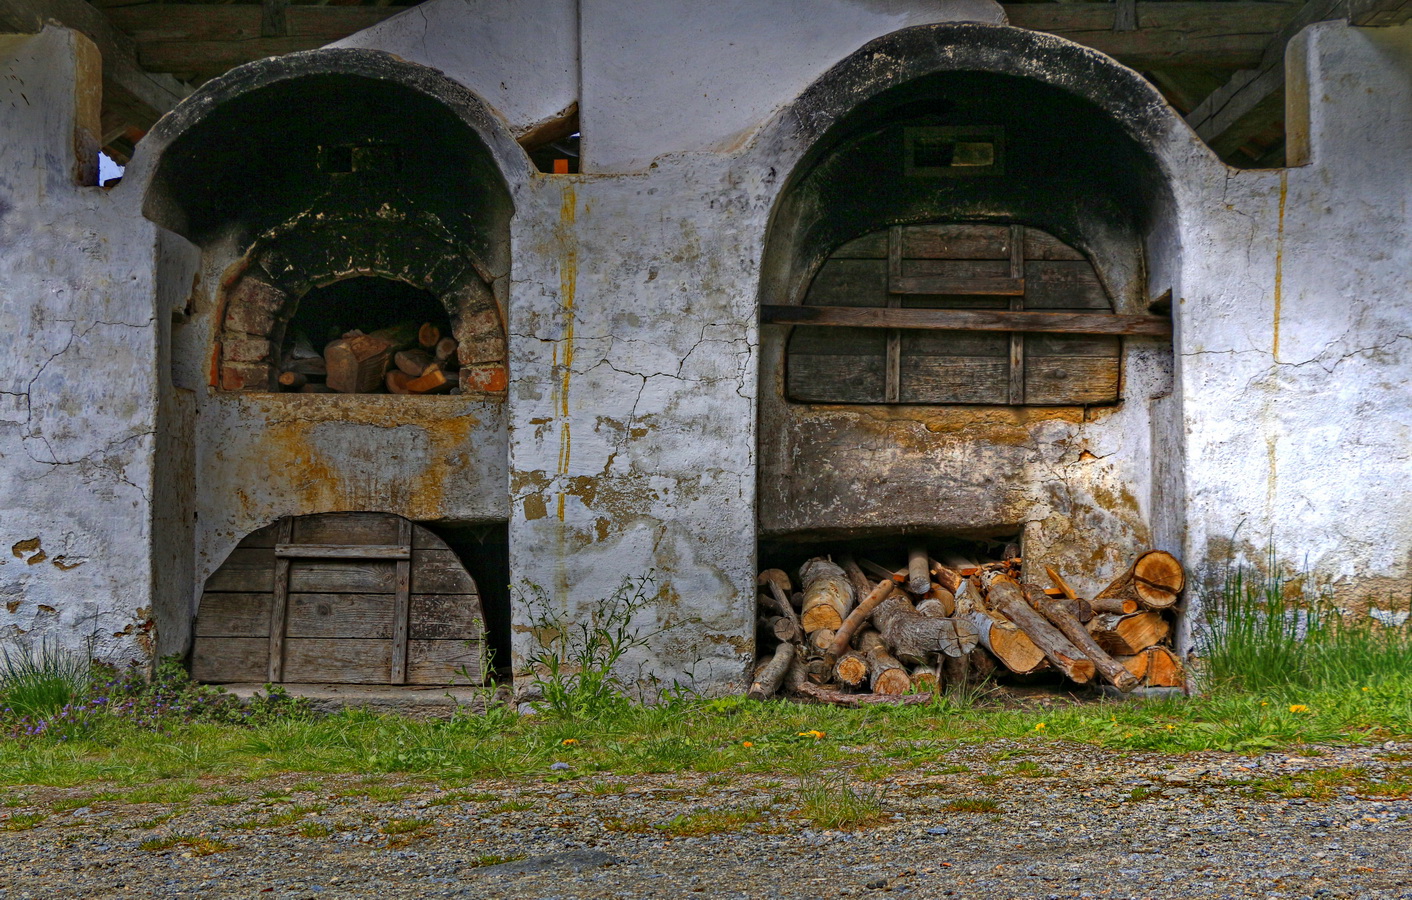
(261, 158)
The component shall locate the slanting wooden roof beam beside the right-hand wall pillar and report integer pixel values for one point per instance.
(1253, 101)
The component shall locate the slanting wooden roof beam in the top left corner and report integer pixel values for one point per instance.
(131, 95)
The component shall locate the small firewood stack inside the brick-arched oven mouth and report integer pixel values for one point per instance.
(403, 360)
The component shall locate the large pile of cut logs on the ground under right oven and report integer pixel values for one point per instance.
(858, 632)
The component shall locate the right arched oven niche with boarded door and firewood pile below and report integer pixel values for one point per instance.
(961, 354)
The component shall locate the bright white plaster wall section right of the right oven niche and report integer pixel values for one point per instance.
(1296, 333)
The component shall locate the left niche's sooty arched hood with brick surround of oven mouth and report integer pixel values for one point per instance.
(334, 165)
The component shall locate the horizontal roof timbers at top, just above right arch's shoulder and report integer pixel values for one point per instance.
(1226, 35)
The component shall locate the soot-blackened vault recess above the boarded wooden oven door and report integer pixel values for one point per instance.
(1070, 169)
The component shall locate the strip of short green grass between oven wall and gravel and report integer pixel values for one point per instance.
(657, 740)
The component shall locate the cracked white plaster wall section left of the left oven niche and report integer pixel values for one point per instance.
(78, 355)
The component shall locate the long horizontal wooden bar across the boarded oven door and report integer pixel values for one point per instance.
(969, 320)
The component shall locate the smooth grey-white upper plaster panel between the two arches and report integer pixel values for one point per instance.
(666, 78)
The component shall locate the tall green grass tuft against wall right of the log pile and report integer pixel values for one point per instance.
(1267, 632)
